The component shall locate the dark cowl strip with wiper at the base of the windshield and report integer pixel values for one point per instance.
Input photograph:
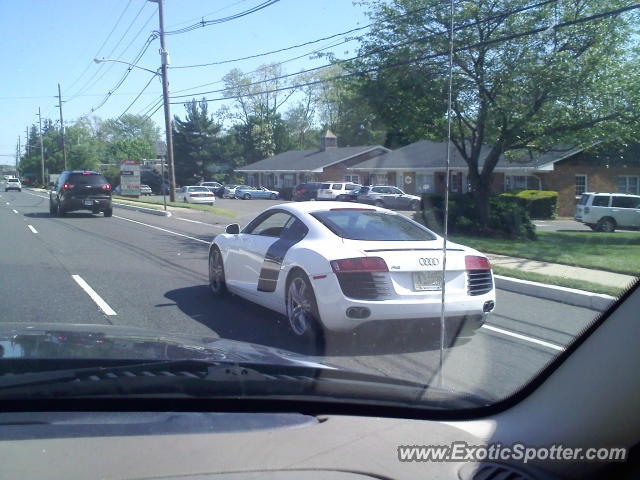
(220, 379)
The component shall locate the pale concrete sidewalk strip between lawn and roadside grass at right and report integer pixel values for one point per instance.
(577, 273)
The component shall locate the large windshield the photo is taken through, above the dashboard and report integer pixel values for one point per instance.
(496, 143)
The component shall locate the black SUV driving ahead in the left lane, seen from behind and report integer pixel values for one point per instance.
(80, 190)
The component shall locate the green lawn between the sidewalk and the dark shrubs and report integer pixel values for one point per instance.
(614, 252)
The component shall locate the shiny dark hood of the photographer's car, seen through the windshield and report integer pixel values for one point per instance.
(59, 340)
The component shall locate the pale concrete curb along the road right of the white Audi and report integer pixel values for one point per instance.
(570, 296)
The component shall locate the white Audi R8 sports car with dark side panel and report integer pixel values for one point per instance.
(330, 267)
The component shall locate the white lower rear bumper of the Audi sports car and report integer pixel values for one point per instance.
(459, 308)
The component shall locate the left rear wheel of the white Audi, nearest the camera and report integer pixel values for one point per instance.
(302, 313)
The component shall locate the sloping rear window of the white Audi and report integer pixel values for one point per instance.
(372, 225)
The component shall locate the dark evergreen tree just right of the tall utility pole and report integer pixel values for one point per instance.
(196, 143)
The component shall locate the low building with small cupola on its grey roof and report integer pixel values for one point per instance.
(328, 163)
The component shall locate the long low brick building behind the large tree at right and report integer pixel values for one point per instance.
(420, 167)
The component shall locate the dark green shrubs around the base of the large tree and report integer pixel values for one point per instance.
(508, 216)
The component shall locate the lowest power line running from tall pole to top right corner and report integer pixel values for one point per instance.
(513, 36)
